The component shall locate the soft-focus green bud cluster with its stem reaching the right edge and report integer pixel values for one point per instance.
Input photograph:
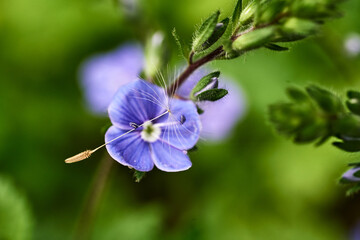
(317, 114)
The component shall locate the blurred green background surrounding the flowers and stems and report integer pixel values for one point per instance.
(254, 185)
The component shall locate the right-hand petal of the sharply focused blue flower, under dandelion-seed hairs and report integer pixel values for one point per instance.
(182, 126)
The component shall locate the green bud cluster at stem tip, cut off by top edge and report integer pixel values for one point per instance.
(265, 23)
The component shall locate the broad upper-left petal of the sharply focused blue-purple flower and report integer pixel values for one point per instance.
(137, 102)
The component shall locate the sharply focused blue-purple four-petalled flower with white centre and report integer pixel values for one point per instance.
(151, 129)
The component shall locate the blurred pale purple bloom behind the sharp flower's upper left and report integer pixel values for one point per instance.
(102, 75)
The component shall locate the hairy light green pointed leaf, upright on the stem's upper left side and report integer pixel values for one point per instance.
(205, 31)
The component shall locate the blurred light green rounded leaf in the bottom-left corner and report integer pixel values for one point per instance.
(15, 216)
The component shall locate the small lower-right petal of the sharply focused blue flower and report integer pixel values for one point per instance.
(168, 158)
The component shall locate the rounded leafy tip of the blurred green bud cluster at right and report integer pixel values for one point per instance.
(312, 115)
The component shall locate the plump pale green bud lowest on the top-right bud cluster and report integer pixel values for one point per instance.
(254, 39)
